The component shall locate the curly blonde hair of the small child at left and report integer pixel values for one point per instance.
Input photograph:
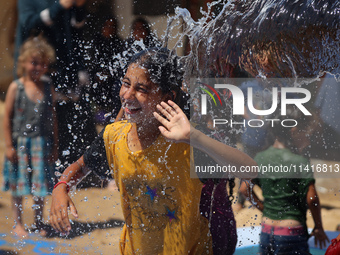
(35, 46)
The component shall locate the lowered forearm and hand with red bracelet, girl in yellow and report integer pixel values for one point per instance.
(61, 201)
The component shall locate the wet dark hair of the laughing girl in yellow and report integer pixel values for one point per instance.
(165, 69)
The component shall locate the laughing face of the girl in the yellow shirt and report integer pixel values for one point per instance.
(139, 95)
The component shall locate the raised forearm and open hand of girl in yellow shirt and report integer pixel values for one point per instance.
(176, 127)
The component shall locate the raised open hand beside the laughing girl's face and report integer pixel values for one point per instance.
(176, 126)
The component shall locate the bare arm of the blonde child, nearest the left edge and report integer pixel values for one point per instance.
(11, 153)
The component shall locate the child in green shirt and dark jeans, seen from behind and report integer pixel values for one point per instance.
(287, 195)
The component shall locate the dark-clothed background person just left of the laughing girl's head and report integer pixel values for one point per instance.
(106, 70)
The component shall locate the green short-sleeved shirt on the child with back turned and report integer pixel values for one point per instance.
(284, 198)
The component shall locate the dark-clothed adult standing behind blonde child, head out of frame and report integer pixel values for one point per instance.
(61, 23)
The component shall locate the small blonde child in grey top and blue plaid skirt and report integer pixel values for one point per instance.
(30, 132)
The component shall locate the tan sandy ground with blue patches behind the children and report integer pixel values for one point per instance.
(98, 227)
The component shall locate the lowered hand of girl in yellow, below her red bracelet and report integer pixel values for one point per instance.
(61, 202)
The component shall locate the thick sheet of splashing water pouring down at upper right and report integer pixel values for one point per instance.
(276, 38)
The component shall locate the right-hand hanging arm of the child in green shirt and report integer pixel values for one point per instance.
(313, 202)
